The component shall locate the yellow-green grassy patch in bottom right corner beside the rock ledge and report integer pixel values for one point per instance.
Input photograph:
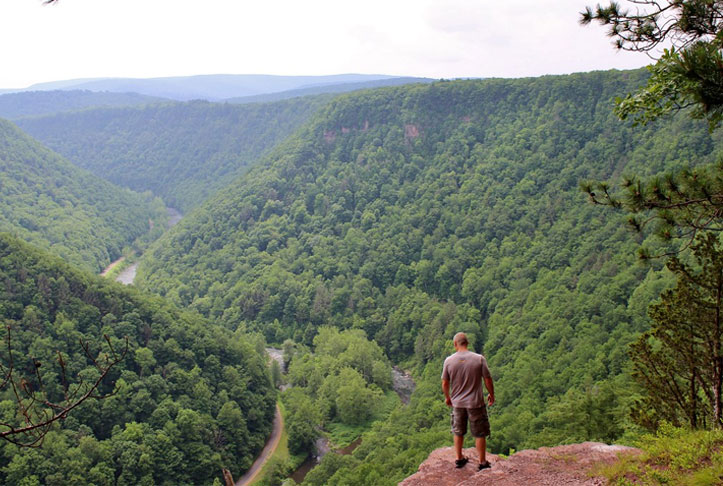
(673, 456)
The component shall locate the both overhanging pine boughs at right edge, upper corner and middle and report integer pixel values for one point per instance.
(688, 75)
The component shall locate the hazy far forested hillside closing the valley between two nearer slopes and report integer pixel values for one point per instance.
(182, 152)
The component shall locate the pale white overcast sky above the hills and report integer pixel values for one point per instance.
(434, 38)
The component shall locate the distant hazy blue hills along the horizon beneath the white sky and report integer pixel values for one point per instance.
(212, 87)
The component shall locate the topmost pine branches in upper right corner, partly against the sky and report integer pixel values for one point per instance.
(687, 74)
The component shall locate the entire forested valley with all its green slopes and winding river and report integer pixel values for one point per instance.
(351, 236)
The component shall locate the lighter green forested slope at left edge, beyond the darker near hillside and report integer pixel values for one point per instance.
(46, 200)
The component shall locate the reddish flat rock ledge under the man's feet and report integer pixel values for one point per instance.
(549, 466)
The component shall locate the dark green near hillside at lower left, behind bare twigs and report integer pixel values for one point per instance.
(189, 398)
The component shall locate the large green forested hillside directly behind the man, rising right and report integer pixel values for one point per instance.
(416, 212)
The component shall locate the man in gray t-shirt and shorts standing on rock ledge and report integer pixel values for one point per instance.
(462, 377)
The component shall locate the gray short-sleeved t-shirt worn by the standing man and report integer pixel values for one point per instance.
(464, 370)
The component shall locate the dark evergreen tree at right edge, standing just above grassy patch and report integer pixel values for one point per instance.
(679, 361)
